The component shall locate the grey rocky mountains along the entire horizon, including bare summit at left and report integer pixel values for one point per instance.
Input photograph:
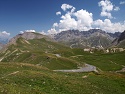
(93, 38)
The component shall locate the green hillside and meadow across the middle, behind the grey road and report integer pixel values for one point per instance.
(56, 56)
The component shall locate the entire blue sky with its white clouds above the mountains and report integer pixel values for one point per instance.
(53, 16)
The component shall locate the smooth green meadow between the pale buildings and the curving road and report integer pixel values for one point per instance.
(106, 62)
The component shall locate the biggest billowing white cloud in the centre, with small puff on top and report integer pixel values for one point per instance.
(81, 20)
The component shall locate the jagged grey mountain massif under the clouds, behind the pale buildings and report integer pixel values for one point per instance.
(91, 38)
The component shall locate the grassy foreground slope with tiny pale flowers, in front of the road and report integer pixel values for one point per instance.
(22, 78)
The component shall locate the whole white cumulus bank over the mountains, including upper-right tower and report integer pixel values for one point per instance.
(82, 19)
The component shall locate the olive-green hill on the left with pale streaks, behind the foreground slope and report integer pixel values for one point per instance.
(39, 52)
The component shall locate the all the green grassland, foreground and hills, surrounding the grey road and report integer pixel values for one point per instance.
(27, 68)
